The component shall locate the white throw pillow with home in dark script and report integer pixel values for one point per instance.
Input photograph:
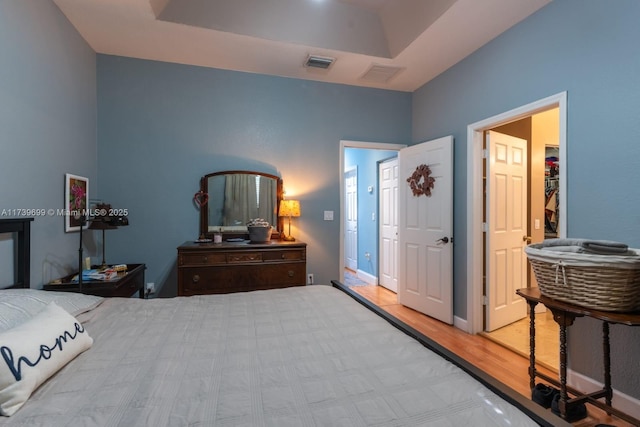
(33, 351)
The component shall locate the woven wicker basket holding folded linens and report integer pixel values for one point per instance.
(599, 282)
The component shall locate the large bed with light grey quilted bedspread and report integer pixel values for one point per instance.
(303, 356)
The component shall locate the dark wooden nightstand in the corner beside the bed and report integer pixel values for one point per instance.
(125, 285)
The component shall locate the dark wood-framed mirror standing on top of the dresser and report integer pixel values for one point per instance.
(235, 198)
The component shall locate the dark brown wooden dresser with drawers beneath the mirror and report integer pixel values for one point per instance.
(217, 268)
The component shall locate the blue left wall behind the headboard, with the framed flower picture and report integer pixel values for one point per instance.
(47, 126)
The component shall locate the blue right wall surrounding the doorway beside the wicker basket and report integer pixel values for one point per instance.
(588, 48)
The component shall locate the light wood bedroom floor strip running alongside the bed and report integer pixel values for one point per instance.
(501, 363)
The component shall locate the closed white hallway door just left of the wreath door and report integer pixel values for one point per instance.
(388, 219)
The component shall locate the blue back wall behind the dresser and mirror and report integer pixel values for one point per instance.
(162, 126)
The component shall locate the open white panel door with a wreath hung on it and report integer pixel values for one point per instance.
(425, 231)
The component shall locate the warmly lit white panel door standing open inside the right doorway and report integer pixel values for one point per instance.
(507, 229)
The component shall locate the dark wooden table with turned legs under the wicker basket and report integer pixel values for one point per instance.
(565, 314)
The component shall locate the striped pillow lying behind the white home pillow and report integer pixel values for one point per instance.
(19, 305)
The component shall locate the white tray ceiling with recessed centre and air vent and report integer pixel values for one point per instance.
(418, 38)
